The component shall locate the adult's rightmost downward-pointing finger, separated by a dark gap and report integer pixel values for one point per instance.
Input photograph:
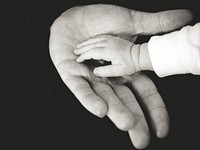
(153, 103)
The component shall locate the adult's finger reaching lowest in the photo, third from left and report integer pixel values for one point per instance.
(139, 134)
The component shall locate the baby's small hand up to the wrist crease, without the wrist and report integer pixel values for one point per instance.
(108, 48)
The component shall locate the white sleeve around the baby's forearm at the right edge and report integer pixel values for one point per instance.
(177, 52)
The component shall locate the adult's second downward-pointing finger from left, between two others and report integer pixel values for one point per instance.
(117, 112)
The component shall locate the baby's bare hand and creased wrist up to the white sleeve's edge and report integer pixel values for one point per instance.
(125, 57)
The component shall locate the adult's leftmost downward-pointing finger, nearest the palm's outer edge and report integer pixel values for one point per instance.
(81, 88)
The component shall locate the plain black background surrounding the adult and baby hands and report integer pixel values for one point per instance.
(41, 113)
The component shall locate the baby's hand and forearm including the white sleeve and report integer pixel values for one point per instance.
(175, 53)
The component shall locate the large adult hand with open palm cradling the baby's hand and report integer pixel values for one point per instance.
(112, 96)
